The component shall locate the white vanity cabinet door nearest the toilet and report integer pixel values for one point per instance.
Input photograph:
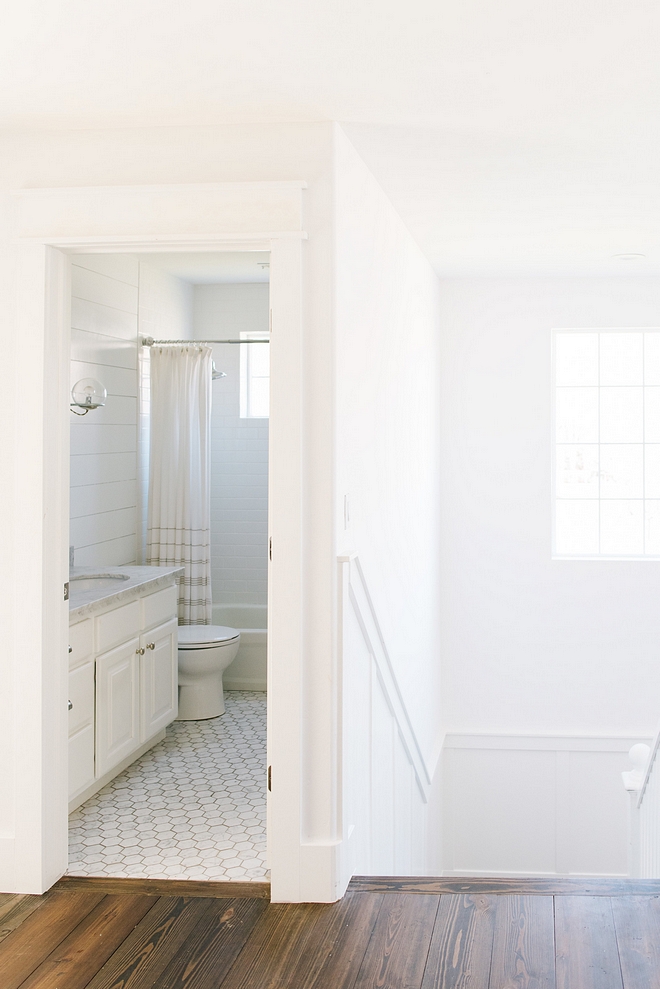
(159, 688)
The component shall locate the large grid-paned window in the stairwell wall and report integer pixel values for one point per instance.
(607, 444)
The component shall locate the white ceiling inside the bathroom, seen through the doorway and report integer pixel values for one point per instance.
(213, 268)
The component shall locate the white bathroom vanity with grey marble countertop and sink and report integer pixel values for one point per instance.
(122, 670)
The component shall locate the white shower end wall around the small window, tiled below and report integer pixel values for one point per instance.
(239, 448)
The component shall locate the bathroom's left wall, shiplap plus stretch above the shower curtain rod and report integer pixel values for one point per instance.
(116, 300)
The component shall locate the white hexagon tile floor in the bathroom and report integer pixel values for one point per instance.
(193, 807)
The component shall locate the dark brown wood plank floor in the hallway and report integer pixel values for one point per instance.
(387, 933)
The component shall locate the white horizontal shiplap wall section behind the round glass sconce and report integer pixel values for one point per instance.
(104, 321)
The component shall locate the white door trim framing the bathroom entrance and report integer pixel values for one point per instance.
(49, 224)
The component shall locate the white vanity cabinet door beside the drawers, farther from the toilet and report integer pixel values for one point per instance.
(117, 705)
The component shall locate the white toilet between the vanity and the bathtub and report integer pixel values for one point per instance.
(205, 652)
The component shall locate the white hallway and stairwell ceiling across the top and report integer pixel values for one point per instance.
(508, 134)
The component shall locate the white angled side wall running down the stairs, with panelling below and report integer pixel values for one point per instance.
(387, 307)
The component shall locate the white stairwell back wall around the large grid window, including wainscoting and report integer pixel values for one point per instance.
(532, 647)
